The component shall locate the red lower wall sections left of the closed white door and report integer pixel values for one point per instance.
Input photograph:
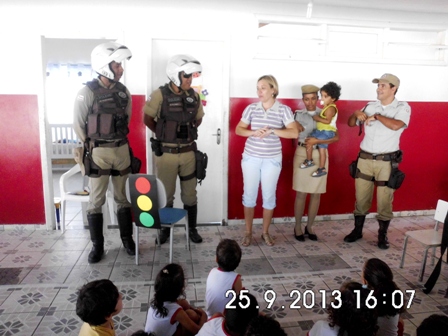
(21, 193)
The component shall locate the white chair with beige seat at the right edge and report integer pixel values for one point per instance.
(428, 238)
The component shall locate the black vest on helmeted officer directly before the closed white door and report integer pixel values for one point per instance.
(177, 123)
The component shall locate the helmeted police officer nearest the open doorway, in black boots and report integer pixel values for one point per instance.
(102, 113)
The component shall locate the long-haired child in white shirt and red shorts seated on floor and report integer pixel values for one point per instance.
(170, 313)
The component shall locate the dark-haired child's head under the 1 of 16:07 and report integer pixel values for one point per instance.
(353, 317)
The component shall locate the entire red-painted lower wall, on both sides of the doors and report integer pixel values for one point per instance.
(425, 160)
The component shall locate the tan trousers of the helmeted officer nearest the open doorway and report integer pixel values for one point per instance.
(109, 158)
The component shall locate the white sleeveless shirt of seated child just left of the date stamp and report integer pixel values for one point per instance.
(218, 283)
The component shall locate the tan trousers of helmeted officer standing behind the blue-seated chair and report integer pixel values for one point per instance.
(169, 166)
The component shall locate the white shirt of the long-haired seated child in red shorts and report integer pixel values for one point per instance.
(163, 325)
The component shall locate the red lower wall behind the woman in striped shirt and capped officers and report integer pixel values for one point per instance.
(425, 162)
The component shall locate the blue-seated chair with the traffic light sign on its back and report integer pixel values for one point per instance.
(169, 217)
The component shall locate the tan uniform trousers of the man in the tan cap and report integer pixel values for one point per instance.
(364, 189)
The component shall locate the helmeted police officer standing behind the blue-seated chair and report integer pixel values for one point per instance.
(174, 113)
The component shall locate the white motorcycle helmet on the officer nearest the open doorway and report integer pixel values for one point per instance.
(104, 54)
